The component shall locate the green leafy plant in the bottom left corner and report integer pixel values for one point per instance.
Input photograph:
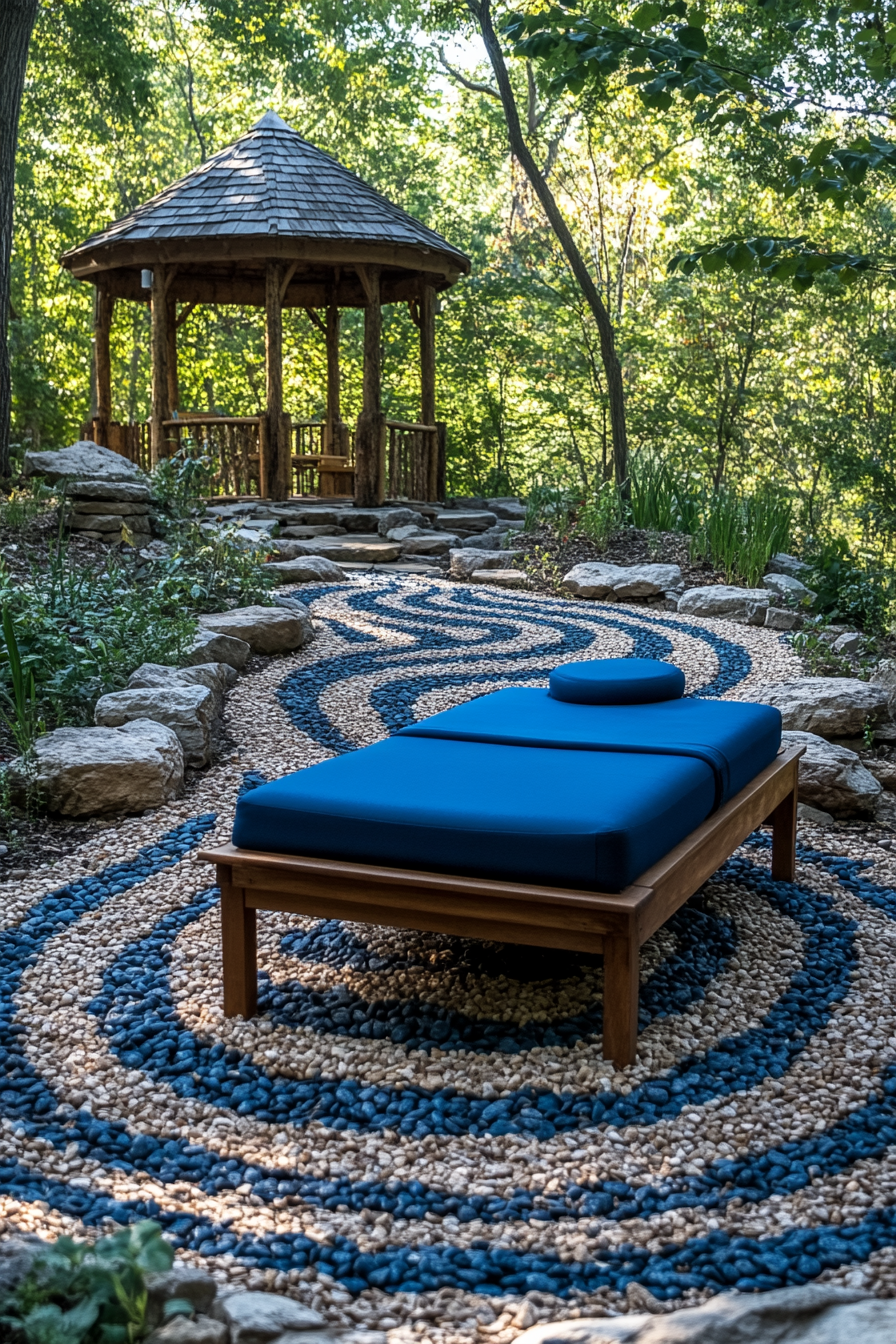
(83, 1294)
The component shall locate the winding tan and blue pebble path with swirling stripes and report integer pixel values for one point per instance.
(418, 1135)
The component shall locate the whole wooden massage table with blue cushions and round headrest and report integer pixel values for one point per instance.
(578, 818)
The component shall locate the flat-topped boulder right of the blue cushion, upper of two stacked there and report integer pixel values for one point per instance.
(831, 706)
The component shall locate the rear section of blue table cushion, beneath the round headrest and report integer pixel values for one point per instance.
(735, 740)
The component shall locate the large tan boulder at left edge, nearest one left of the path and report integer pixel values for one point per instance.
(92, 772)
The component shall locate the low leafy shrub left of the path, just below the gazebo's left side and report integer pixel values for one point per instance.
(212, 571)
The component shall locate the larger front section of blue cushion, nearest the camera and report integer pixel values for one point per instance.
(522, 814)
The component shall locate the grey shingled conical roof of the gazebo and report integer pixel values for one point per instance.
(271, 196)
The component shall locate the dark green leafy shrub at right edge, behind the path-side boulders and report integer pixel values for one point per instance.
(859, 591)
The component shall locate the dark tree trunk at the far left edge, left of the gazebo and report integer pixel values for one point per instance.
(17, 22)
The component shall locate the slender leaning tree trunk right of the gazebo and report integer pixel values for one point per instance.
(616, 390)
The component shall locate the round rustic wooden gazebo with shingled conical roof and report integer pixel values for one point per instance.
(275, 222)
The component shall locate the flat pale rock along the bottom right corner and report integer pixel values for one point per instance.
(815, 1314)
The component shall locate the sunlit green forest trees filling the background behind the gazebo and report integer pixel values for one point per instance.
(726, 173)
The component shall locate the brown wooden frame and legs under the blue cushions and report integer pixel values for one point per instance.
(506, 912)
